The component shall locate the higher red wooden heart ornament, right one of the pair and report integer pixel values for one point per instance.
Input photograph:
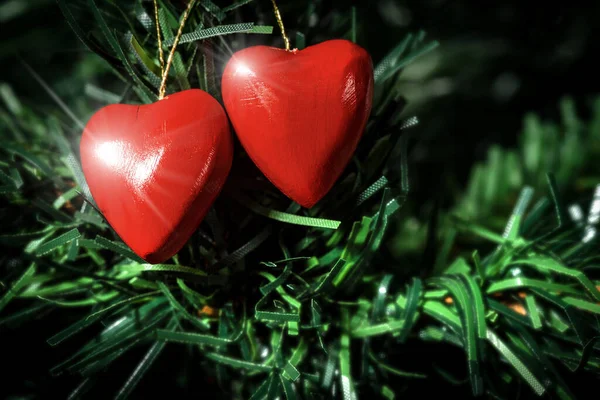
(300, 114)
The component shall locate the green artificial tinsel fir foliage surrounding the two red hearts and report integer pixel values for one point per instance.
(290, 302)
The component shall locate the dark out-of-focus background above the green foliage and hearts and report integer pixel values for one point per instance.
(495, 62)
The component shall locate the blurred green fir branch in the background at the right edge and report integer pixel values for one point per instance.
(567, 150)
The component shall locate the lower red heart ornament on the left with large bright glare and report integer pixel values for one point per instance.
(154, 170)
